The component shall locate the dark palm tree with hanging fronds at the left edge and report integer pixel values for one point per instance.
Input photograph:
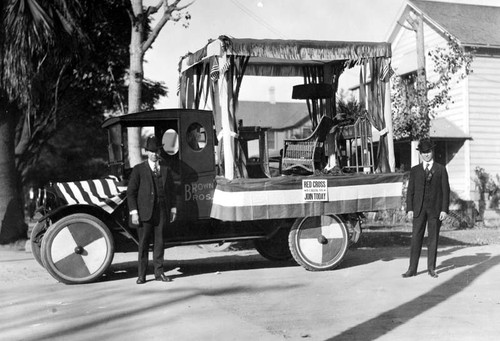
(30, 30)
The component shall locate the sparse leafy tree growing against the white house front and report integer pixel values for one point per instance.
(411, 118)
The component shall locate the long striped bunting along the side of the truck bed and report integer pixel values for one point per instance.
(283, 197)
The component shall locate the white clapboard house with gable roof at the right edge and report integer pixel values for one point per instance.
(467, 132)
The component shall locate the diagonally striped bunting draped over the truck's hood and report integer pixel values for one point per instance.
(105, 193)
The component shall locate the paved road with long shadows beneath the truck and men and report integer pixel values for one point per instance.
(238, 295)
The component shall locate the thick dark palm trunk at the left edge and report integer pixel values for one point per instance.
(12, 226)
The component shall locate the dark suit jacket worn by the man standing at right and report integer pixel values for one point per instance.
(439, 187)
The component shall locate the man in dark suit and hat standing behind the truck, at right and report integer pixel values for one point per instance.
(427, 203)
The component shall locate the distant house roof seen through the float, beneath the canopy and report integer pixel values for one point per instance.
(279, 116)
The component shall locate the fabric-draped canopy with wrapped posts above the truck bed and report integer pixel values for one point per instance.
(212, 76)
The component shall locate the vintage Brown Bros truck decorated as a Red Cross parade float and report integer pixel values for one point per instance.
(304, 212)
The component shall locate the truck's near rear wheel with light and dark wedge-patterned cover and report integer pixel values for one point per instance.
(312, 249)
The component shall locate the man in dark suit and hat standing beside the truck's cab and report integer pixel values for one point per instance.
(151, 198)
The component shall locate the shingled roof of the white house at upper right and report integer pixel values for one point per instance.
(472, 25)
